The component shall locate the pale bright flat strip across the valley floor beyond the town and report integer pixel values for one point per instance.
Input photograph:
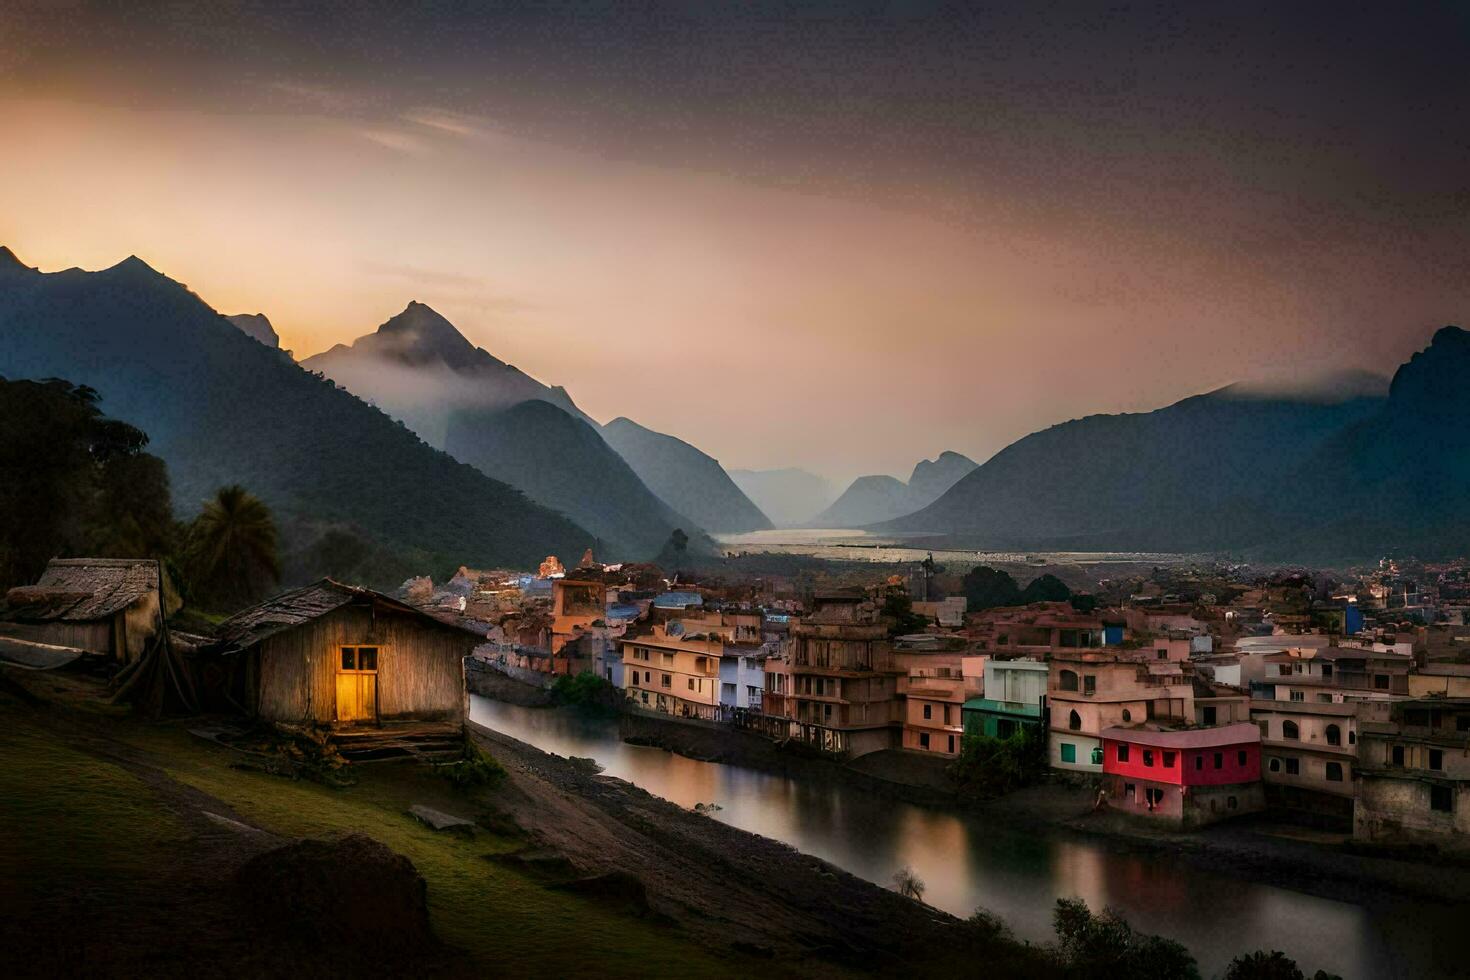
(862, 546)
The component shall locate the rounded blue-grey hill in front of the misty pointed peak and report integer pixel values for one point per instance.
(564, 464)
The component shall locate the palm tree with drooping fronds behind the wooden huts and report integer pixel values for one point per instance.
(233, 549)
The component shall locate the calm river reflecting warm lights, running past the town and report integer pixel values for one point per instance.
(1019, 875)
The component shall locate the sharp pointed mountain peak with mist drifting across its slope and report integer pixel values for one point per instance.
(421, 370)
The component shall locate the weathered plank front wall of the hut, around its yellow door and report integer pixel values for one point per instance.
(421, 672)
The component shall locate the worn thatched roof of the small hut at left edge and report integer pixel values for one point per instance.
(83, 590)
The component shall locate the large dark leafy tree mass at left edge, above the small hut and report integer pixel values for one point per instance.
(74, 481)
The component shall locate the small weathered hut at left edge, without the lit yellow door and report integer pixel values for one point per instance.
(110, 608)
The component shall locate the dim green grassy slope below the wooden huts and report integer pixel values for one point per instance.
(68, 813)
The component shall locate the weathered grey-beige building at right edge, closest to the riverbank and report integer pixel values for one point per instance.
(1413, 777)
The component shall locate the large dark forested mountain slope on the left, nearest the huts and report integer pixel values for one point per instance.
(223, 409)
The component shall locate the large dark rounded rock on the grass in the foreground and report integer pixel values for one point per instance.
(351, 894)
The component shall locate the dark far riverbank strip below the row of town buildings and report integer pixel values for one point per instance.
(1255, 849)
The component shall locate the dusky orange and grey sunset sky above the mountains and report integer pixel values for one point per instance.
(842, 237)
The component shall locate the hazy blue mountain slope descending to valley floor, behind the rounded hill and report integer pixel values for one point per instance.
(690, 481)
